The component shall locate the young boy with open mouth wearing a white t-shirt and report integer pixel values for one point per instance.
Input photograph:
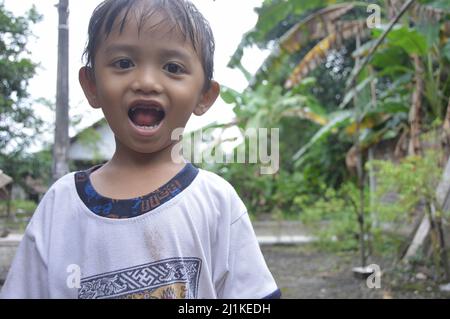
(146, 224)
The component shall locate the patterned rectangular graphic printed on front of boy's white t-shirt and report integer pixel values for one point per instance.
(174, 278)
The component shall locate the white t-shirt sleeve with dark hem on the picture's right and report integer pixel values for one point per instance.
(248, 276)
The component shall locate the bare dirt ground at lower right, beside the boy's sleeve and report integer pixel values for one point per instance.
(303, 272)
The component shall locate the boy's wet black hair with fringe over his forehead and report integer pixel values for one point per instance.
(182, 14)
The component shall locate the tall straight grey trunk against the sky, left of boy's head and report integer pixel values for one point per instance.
(60, 148)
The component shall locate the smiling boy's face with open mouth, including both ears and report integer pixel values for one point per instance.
(148, 82)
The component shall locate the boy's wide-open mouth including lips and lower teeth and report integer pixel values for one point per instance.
(146, 116)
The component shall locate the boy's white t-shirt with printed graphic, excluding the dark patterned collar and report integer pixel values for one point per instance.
(198, 244)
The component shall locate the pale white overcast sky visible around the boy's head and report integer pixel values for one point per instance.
(229, 19)
